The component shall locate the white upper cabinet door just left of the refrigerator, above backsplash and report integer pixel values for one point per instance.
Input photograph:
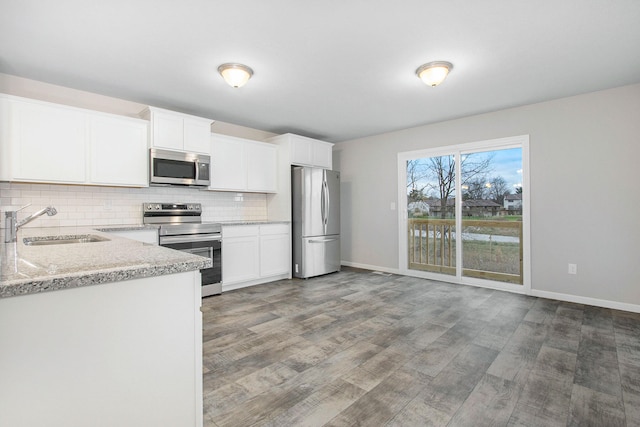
(262, 167)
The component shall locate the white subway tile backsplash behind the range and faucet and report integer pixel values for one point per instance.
(79, 205)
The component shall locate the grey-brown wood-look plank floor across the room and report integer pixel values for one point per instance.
(360, 348)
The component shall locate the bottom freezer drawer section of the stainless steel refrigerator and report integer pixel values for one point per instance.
(319, 255)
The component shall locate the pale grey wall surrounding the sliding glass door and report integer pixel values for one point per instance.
(584, 154)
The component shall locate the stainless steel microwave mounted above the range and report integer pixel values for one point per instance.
(179, 168)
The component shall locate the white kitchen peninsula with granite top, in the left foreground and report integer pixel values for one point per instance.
(101, 333)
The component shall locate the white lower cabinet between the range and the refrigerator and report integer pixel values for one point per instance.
(254, 254)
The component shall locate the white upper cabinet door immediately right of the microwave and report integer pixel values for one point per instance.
(229, 171)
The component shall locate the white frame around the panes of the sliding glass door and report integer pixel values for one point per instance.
(520, 141)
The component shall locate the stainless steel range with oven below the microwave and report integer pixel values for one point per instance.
(181, 228)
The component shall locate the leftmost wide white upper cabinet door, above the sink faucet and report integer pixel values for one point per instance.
(47, 143)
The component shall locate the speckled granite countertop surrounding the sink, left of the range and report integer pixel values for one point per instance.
(32, 269)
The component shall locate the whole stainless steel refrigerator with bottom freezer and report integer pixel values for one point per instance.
(316, 221)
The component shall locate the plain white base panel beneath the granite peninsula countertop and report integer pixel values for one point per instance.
(123, 354)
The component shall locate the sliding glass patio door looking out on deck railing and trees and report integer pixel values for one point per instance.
(466, 213)
